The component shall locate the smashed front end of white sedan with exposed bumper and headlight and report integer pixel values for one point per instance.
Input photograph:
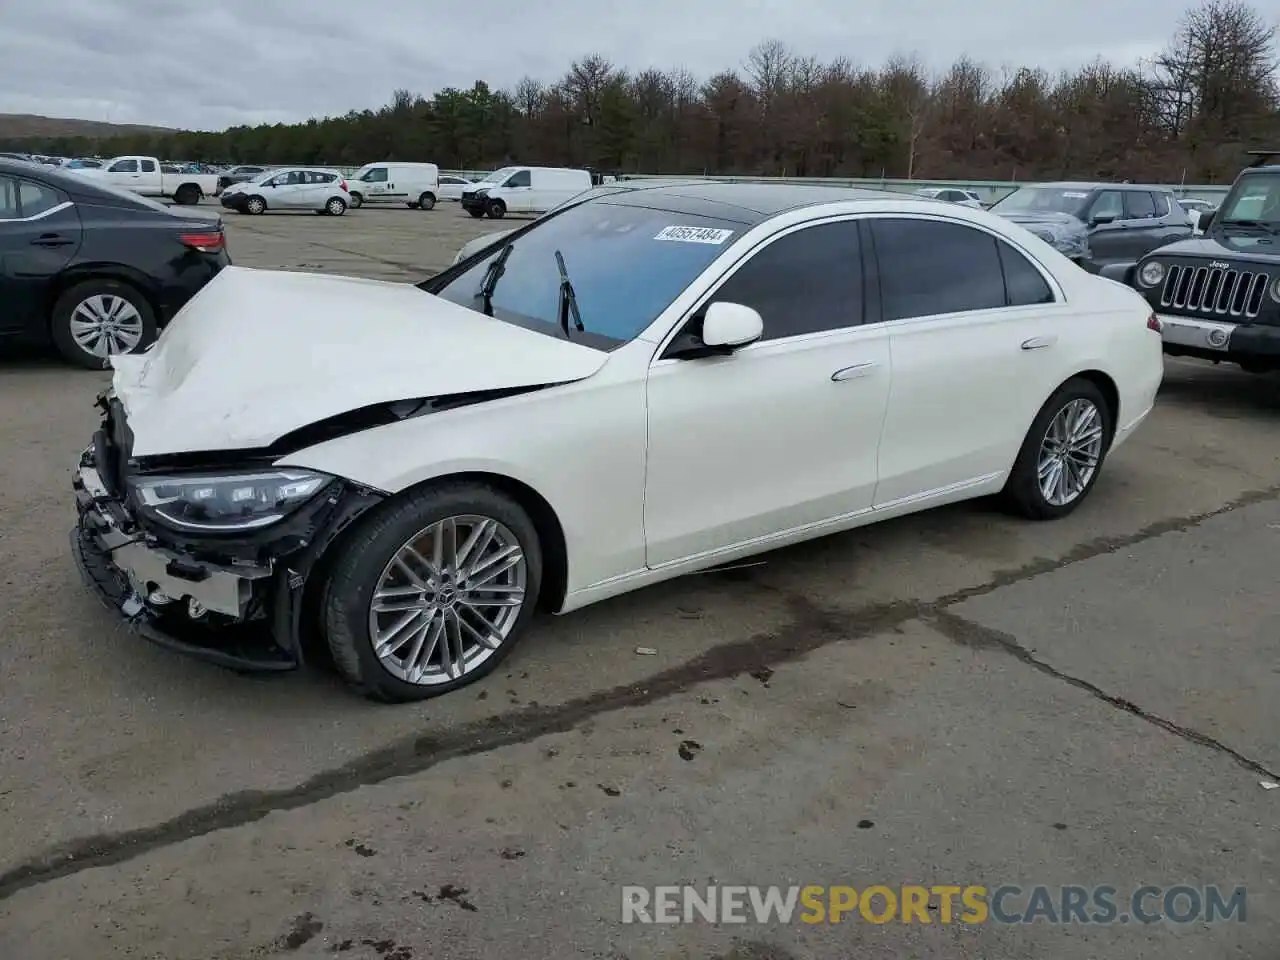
(207, 559)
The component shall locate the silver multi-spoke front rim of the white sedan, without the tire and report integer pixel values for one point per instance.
(449, 600)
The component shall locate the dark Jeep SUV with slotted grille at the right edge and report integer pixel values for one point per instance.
(1218, 296)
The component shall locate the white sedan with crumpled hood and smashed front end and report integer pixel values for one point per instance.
(641, 386)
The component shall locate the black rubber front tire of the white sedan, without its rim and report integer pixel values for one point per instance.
(368, 550)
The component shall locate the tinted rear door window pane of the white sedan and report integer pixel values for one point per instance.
(930, 268)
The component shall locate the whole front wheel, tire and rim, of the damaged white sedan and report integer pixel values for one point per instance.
(432, 592)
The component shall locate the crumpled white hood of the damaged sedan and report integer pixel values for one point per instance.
(259, 354)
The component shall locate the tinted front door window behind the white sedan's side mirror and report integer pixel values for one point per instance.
(806, 282)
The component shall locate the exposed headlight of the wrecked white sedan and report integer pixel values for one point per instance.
(227, 502)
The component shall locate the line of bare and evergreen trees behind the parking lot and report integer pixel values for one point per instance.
(1187, 116)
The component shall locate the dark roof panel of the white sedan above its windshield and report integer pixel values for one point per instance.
(742, 203)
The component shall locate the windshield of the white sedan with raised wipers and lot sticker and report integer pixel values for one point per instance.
(627, 266)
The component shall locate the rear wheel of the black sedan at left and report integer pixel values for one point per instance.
(99, 319)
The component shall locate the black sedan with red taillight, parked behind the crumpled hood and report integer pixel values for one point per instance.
(94, 269)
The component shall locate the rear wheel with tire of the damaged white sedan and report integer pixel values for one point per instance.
(1062, 454)
